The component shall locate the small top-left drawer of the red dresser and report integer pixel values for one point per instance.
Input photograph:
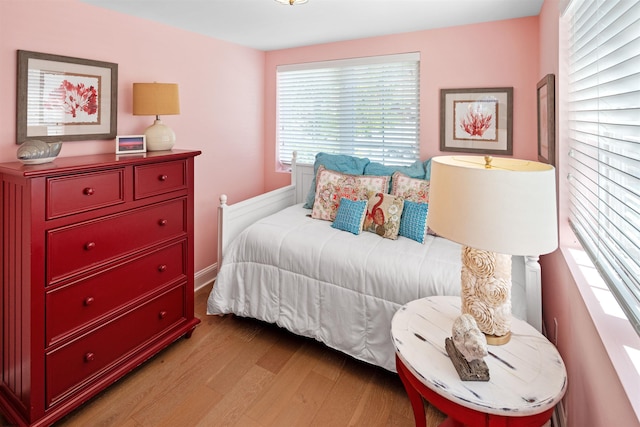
(84, 192)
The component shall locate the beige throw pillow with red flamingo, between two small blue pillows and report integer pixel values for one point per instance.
(383, 215)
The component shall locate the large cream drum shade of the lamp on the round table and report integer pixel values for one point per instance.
(509, 208)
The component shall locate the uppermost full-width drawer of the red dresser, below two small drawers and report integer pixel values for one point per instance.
(75, 248)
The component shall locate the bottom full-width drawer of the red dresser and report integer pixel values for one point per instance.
(81, 360)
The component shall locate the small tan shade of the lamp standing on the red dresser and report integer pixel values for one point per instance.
(155, 99)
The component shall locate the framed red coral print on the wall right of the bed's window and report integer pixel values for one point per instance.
(477, 120)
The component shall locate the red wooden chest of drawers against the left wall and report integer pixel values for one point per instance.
(97, 274)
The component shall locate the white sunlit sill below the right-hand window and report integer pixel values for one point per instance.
(620, 340)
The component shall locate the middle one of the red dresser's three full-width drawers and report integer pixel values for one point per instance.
(75, 305)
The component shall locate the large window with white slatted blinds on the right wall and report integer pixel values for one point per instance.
(604, 130)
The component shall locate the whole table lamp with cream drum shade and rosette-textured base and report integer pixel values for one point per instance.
(495, 208)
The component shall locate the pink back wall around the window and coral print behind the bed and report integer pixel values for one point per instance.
(496, 54)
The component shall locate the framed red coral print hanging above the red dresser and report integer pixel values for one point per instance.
(61, 98)
